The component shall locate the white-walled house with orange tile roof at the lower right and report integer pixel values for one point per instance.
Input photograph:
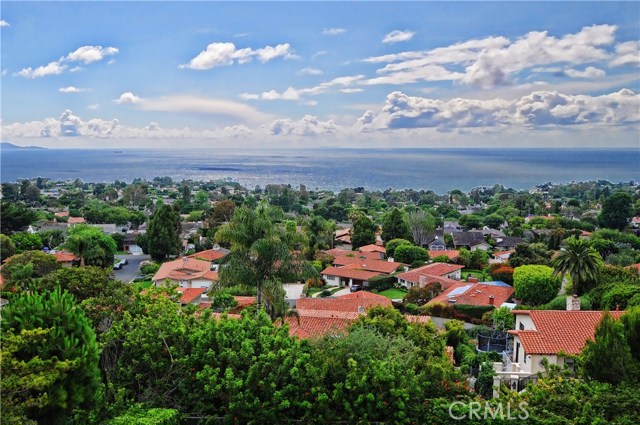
(547, 334)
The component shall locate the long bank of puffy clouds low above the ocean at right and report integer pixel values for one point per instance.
(539, 108)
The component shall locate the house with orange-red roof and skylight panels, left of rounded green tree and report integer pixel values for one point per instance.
(479, 294)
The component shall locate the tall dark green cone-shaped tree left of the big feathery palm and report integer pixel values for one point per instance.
(163, 234)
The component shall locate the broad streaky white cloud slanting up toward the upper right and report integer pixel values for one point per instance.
(495, 61)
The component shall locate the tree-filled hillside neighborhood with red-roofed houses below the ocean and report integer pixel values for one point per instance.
(502, 289)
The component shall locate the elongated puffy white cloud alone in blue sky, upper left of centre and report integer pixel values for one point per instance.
(221, 54)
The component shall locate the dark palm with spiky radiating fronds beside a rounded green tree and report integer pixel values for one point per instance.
(579, 260)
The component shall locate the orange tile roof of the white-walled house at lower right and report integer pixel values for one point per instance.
(559, 330)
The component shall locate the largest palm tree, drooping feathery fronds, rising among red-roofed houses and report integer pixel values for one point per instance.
(260, 255)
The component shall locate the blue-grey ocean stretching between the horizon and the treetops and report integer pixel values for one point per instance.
(439, 170)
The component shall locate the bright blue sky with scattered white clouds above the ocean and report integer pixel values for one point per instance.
(320, 74)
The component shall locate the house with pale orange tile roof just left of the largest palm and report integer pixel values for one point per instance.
(186, 273)
